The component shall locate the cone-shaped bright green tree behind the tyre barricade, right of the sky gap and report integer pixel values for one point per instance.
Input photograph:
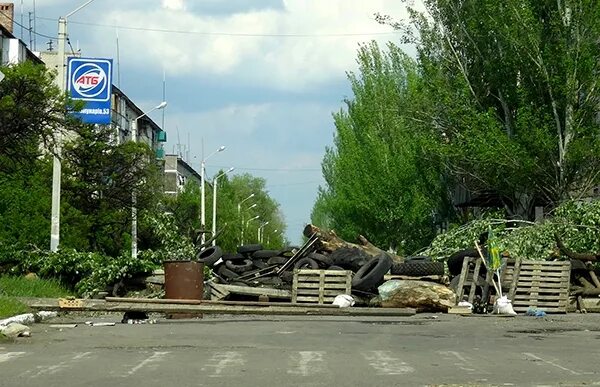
(382, 178)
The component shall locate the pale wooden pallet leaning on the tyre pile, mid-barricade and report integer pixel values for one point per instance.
(320, 286)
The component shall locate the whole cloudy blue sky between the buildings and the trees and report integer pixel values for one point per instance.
(260, 77)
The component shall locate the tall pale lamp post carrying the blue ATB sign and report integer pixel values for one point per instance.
(56, 164)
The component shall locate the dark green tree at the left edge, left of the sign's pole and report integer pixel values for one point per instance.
(32, 113)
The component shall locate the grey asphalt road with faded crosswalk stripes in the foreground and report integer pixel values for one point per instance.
(292, 351)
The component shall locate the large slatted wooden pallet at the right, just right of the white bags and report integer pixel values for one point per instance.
(542, 285)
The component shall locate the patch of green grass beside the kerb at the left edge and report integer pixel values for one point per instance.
(11, 287)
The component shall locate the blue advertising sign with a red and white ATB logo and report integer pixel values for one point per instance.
(90, 80)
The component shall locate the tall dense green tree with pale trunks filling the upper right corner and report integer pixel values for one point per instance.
(515, 85)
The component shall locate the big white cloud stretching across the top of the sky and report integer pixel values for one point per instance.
(277, 61)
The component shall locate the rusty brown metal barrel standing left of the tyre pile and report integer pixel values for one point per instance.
(184, 280)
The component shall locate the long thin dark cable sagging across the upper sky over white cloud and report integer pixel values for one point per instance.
(232, 34)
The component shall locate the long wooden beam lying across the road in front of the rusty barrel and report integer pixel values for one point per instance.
(103, 306)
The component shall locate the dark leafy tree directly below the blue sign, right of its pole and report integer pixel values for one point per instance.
(97, 190)
